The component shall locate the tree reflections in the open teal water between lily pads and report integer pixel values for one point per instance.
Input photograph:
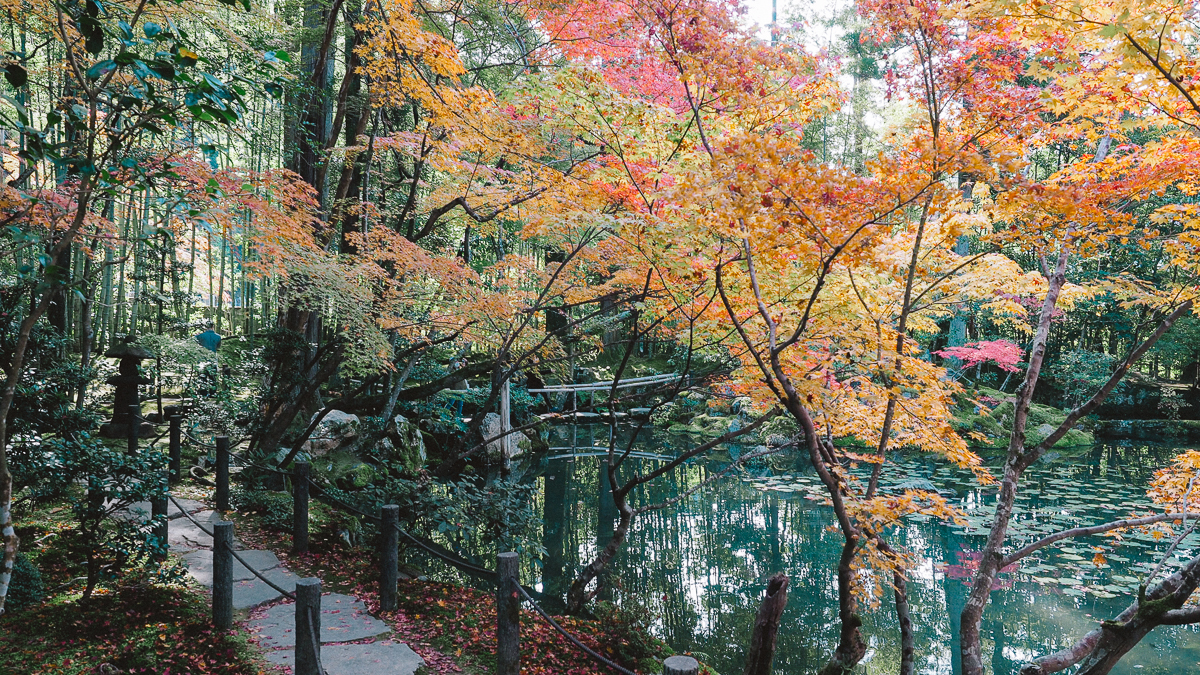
(701, 568)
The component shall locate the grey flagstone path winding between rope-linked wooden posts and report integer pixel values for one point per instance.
(353, 642)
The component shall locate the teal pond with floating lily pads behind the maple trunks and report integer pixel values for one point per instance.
(700, 568)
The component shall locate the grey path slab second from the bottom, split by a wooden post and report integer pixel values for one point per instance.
(344, 619)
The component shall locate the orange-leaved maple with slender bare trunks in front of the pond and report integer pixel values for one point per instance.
(769, 224)
